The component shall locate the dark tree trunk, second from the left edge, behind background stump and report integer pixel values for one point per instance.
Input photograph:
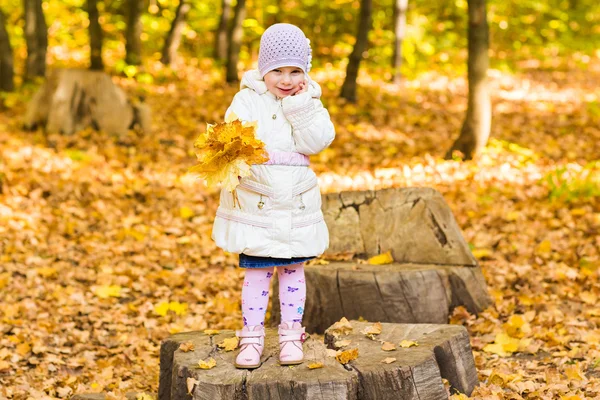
(36, 36)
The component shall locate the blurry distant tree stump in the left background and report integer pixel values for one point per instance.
(74, 99)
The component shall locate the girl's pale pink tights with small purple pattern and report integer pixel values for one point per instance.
(255, 293)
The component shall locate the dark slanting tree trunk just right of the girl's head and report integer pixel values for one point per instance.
(364, 26)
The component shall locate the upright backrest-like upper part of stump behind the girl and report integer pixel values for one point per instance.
(415, 224)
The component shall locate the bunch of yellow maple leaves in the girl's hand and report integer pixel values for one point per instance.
(226, 151)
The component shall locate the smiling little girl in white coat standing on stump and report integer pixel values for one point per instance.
(276, 220)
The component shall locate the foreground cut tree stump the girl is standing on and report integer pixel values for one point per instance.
(443, 352)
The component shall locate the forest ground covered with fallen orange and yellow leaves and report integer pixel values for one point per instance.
(105, 243)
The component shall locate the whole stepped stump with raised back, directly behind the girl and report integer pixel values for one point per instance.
(433, 270)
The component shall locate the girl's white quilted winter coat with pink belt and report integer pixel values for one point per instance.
(290, 222)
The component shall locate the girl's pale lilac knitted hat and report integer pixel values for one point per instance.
(284, 45)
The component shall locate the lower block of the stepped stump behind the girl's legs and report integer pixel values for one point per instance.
(404, 293)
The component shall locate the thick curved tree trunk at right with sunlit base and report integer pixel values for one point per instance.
(475, 131)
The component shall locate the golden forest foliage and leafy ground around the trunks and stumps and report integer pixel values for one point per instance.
(105, 240)
